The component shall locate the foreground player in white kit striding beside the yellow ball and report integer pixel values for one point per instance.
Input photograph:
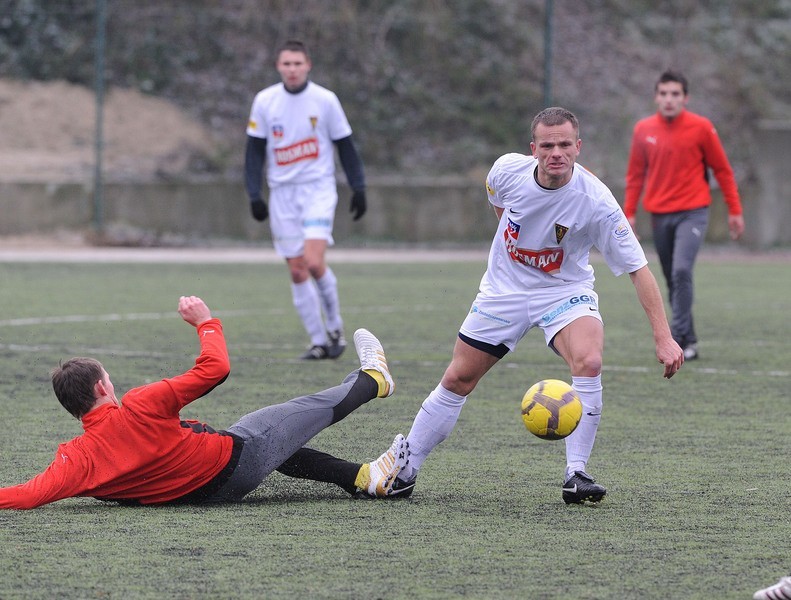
(551, 212)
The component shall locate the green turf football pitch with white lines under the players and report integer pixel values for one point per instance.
(697, 467)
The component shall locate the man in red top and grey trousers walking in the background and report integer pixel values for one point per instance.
(671, 154)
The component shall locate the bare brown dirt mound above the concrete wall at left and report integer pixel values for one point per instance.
(48, 134)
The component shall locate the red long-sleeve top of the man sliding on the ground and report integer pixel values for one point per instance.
(141, 450)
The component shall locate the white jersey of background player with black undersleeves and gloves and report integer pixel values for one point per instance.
(299, 130)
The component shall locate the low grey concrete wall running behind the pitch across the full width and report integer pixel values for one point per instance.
(424, 211)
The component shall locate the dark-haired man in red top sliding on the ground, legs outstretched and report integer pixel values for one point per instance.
(137, 450)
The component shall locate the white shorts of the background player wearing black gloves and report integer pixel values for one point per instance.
(300, 212)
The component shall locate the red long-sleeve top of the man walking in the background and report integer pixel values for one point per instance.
(669, 159)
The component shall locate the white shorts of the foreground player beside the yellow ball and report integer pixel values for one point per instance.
(506, 319)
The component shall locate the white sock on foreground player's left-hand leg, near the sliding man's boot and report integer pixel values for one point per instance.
(433, 424)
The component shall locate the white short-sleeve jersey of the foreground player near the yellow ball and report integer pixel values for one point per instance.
(545, 236)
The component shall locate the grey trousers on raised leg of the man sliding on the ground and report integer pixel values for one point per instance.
(274, 433)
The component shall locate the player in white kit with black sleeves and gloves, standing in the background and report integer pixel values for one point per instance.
(293, 126)
